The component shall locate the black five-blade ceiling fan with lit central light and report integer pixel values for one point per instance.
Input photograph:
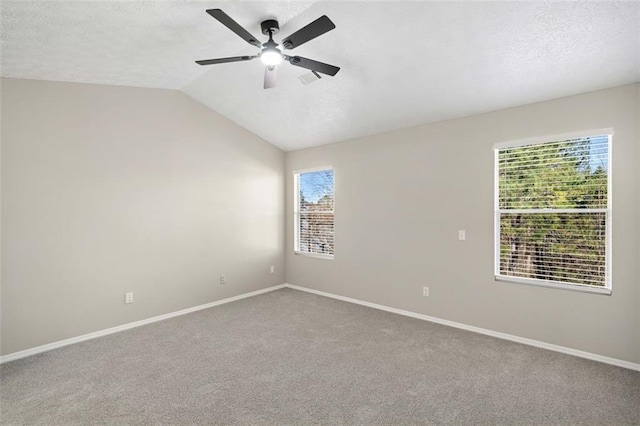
(271, 52)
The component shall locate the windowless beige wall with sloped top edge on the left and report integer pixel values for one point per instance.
(107, 190)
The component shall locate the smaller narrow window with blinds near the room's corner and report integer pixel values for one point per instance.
(313, 192)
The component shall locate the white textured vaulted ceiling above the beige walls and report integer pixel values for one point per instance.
(403, 63)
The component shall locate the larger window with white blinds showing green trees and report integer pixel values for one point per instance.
(553, 212)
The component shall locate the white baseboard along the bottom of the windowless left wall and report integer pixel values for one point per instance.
(28, 352)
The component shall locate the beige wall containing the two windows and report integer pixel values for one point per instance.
(402, 196)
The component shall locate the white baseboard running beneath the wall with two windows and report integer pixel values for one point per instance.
(505, 336)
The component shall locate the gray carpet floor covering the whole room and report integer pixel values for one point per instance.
(293, 358)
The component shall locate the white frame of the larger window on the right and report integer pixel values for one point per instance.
(607, 289)
